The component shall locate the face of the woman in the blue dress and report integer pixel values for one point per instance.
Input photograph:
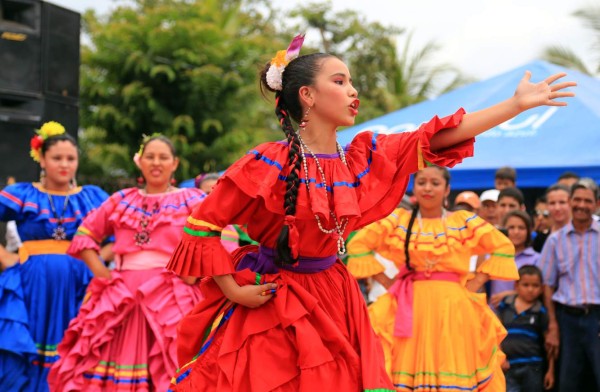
(60, 162)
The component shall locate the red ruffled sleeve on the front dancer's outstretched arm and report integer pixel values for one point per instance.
(383, 163)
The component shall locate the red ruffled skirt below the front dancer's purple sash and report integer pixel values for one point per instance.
(314, 334)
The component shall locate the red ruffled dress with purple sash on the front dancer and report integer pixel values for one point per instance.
(314, 334)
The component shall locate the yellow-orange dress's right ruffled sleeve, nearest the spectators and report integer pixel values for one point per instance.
(489, 240)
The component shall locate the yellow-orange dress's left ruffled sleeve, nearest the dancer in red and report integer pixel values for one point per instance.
(362, 247)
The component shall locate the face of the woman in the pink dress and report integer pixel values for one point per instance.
(158, 164)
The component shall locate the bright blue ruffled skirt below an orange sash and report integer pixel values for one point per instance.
(38, 299)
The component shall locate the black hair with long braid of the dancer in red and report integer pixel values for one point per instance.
(298, 73)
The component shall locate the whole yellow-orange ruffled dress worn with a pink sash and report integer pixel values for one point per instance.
(455, 336)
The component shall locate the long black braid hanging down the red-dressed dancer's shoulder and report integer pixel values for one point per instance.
(292, 182)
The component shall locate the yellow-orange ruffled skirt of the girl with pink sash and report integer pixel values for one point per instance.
(455, 343)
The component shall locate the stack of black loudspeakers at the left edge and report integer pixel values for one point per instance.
(39, 78)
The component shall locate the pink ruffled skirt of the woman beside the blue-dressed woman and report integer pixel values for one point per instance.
(124, 335)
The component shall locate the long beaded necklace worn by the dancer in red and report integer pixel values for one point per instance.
(340, 225)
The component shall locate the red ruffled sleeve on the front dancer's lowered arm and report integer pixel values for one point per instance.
(200, 251)
